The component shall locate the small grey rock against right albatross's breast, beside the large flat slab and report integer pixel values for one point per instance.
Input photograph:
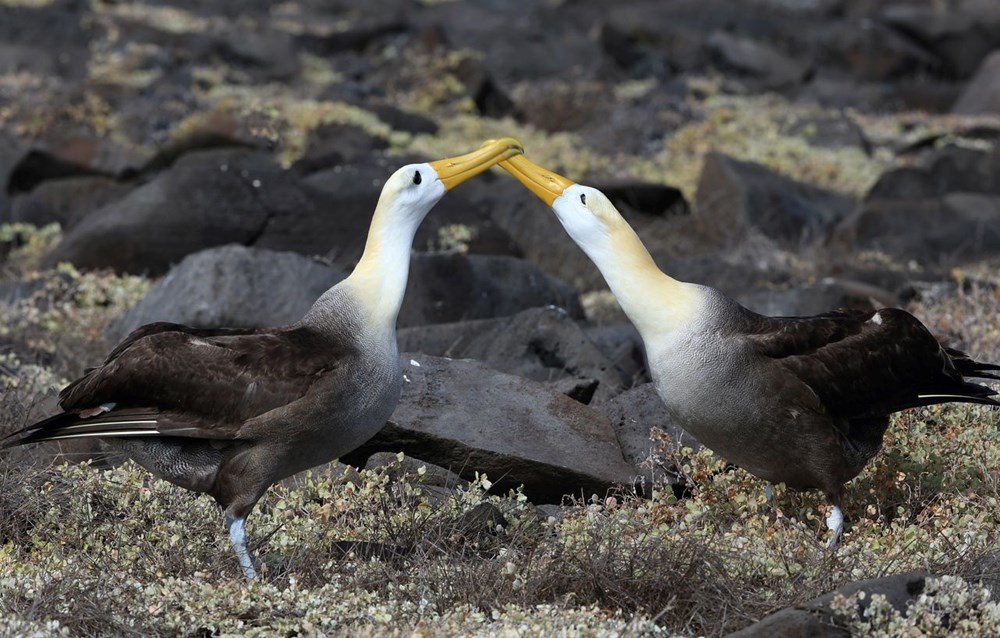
(632, 415)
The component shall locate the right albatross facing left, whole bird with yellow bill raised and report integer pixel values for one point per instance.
(803, 401)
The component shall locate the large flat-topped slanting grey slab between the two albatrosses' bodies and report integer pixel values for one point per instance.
(470, 418)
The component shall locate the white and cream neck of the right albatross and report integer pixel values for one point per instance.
(653, 301)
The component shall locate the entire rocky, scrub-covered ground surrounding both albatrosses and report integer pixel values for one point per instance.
(216, 163)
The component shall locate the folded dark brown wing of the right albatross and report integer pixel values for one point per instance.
(866, 364)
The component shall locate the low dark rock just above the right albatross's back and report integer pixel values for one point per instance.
(809, 299)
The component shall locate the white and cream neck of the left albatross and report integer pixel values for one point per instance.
(379, 280)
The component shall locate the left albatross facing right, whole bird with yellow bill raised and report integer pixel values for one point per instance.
(230, 412)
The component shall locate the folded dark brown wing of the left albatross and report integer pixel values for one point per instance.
(171, 380)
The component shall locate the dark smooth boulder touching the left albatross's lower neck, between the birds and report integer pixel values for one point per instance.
(448, 287)
